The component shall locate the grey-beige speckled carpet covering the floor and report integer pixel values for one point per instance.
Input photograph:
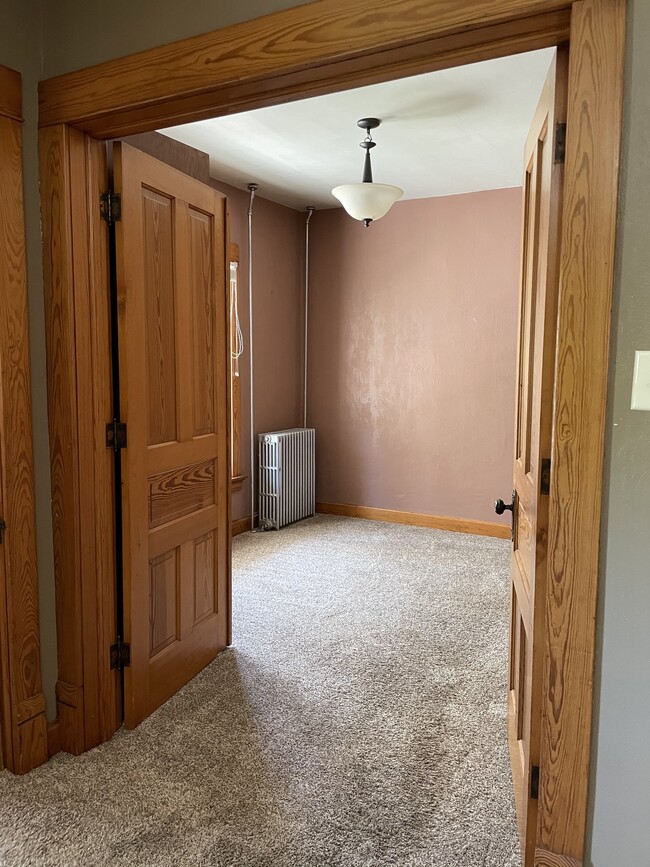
(358, 721)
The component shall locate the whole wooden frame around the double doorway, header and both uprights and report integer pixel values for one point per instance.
(307, 50)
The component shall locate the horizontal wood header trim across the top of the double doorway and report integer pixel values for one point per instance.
(306, 50)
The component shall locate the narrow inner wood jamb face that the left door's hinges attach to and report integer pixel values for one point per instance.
(88, 178)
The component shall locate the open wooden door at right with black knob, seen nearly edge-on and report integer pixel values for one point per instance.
(542, 191)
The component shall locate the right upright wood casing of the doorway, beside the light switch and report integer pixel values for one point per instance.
(588, 231)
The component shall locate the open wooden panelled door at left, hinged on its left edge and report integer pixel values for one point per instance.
(174, 374)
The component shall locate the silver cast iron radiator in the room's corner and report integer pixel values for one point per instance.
(287, 477)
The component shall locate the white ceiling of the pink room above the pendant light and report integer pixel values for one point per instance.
(455, 131)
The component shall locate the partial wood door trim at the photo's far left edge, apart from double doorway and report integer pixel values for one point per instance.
(22, 704)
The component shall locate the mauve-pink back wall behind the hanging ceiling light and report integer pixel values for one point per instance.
(412, 354)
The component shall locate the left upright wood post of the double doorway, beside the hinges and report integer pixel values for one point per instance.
(73, 169)
